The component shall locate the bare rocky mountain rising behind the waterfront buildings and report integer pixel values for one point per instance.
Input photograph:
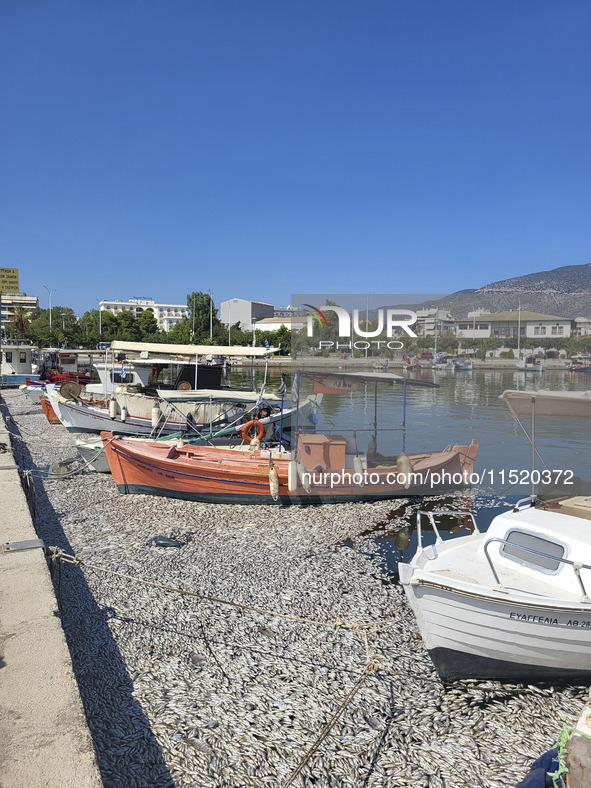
(565, 292)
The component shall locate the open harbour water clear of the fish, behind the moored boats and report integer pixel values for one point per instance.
(465, 406)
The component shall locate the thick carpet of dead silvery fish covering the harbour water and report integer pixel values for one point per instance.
(237, 682)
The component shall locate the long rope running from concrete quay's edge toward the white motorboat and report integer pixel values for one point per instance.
(56, 554)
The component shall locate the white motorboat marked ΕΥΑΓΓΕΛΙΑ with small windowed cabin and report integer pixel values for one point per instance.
(510, 604)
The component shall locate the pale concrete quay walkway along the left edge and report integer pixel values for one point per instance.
(44, 739)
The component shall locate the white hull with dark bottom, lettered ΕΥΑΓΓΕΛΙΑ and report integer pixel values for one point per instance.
(481, 637)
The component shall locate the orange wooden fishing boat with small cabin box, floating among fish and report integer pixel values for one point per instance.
(326, 474)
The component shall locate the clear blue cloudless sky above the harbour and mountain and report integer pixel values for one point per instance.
(262, 148)
